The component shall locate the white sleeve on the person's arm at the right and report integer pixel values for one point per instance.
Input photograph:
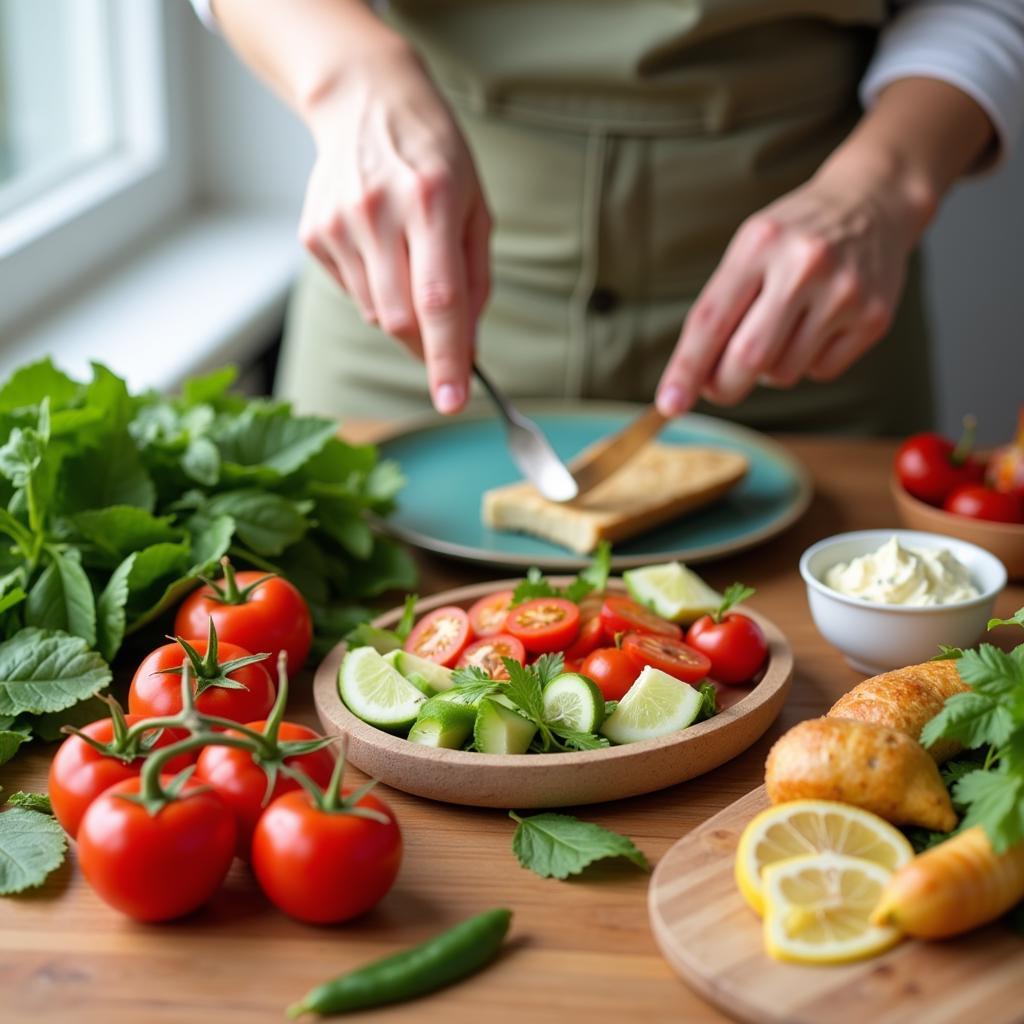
(975, 46)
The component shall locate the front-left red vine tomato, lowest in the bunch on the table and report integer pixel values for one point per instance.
(156, 867)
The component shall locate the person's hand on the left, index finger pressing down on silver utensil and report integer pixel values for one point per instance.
(396, 214)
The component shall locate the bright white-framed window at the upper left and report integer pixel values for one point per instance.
(90, 161)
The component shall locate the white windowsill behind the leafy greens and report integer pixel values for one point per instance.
(210, 290)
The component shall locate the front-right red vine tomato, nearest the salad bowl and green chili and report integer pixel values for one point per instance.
(323, 867)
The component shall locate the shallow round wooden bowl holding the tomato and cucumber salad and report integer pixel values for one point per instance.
(554, 780)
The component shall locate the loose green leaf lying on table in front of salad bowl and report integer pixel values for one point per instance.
(556, 846)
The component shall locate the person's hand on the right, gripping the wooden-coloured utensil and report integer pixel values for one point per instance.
(806, 287)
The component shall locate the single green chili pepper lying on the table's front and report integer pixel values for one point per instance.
(433, 965)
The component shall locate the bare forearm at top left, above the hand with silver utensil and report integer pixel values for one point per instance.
(303, 49)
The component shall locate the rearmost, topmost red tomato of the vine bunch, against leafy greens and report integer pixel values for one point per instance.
(271, 618)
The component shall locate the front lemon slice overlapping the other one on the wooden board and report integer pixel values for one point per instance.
(819, 909)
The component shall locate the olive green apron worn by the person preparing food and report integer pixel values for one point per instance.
(620, 146)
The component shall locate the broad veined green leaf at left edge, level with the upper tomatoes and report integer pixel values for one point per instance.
(42, 671)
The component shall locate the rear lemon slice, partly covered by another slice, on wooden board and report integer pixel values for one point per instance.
(804, 827)
